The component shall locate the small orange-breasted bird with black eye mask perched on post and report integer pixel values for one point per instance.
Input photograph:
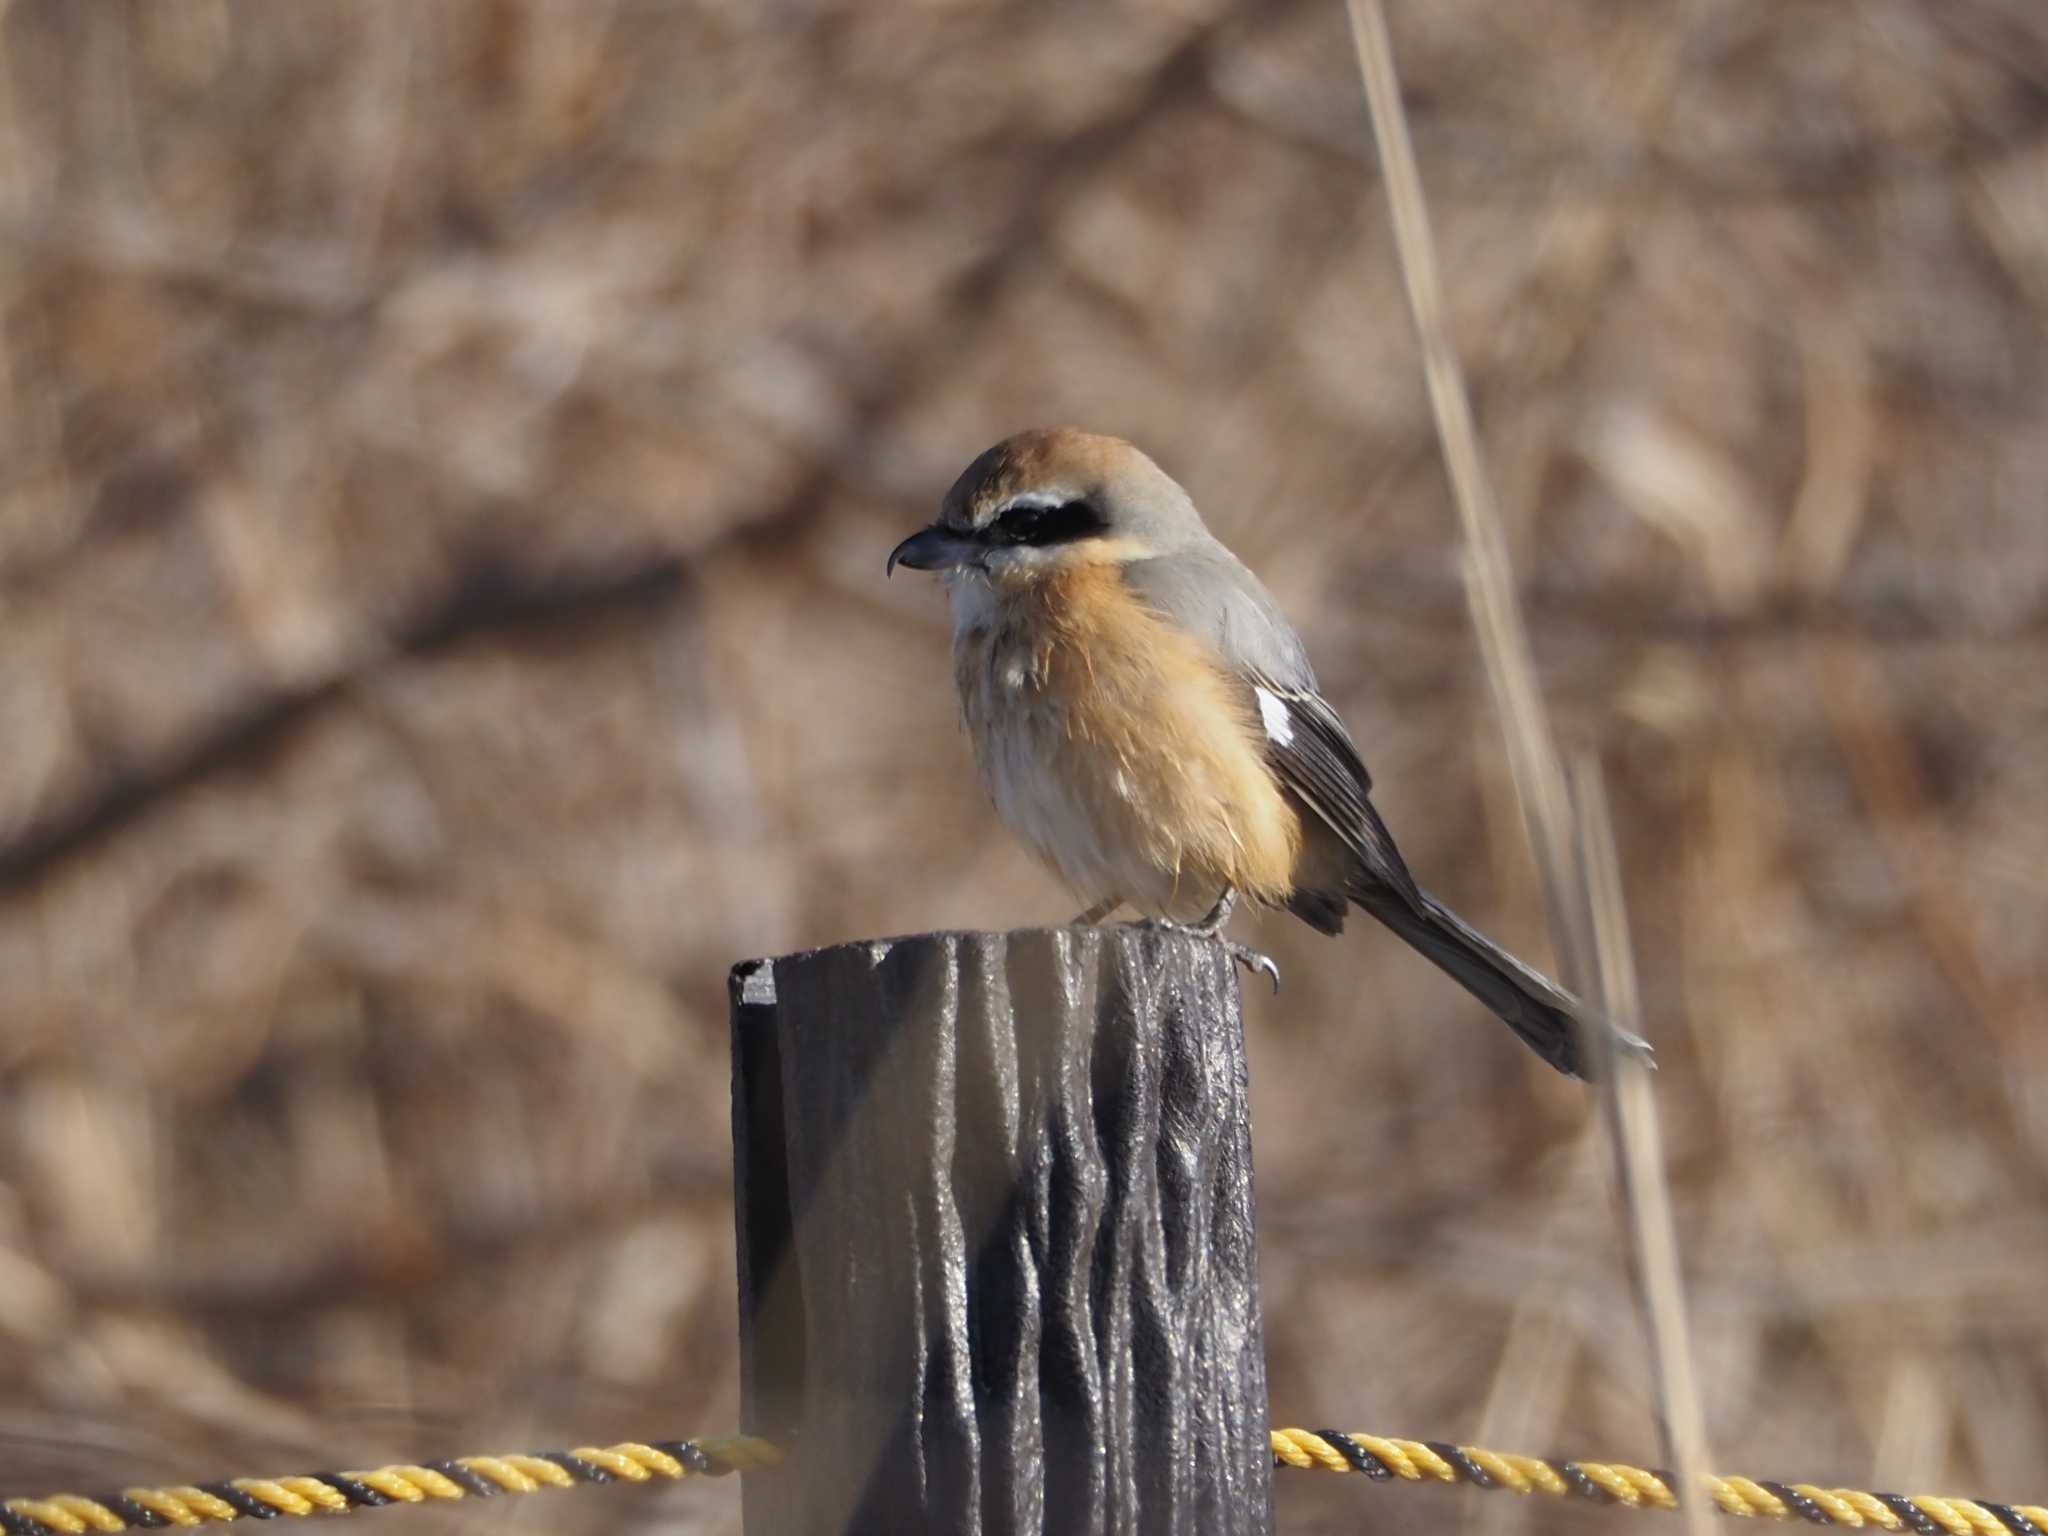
(1148, 724)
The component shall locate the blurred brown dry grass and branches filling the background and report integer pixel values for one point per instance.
(447, 458)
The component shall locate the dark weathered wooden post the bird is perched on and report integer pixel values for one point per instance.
(996, 1252)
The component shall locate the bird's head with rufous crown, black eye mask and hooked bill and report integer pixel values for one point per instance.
(1046, 501)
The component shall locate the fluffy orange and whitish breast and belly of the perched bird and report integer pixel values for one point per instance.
(1117, 746)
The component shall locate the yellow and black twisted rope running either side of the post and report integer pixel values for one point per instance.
(1330, 1451)
